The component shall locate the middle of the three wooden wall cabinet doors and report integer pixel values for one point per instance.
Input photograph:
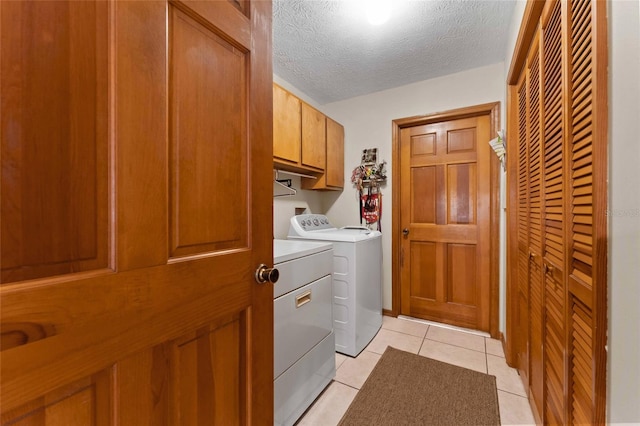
(313, 138)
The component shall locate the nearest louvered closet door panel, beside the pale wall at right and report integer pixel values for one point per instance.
(587, 234)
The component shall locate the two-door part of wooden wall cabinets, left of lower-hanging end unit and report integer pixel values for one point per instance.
(298, 134)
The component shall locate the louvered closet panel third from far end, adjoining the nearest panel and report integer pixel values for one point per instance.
(553, 231)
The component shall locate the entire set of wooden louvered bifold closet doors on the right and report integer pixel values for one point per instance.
(558, 116)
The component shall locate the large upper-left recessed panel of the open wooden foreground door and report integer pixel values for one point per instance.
(54, 140)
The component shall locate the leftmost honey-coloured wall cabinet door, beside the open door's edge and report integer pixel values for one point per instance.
(286, 125)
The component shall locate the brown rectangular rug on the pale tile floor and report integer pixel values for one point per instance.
(409, 389)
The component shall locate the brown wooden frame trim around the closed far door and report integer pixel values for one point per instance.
(493, 111)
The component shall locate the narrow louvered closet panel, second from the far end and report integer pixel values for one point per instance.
(536, 293)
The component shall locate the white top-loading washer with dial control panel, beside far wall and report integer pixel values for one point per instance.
(357, 278)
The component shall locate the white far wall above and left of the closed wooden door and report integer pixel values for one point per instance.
(367, 121)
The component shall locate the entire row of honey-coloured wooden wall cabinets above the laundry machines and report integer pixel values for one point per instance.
(306, 141)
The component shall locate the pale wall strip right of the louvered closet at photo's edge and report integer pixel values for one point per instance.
(623, 394)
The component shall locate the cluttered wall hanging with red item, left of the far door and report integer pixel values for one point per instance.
(367, 178)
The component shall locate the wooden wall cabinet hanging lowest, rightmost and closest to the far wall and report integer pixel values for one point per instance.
(333, 177)
